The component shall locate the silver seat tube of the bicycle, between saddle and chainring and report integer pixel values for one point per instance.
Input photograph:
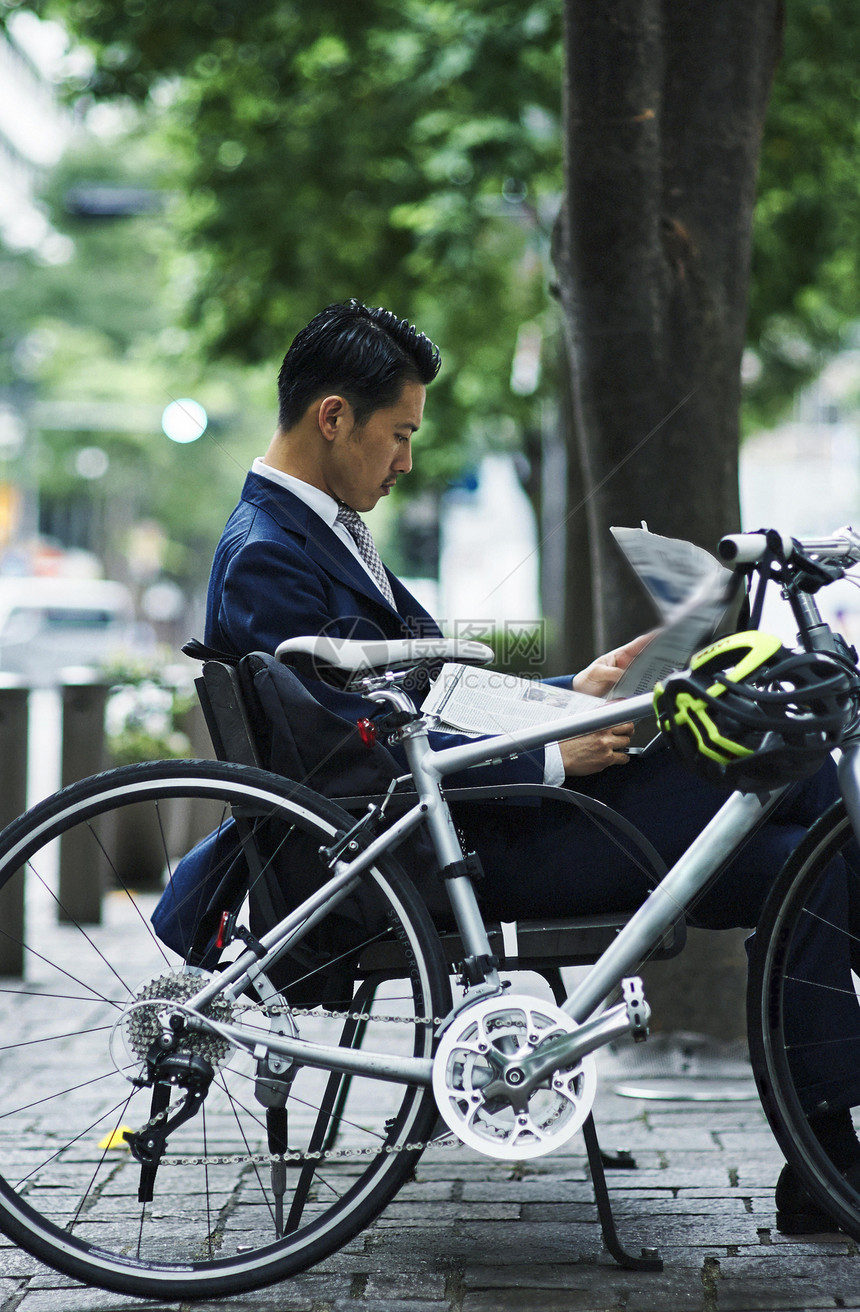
(447, 847)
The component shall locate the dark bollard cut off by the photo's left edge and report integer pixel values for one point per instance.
(14, 767)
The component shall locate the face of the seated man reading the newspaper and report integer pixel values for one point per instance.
(364, 462)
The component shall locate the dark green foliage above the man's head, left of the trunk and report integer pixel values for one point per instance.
(404, 152)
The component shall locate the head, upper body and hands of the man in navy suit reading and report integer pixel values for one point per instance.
(288, 565)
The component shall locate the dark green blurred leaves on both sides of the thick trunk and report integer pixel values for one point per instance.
(409, 153)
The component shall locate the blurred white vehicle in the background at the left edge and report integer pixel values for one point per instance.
(48, 625)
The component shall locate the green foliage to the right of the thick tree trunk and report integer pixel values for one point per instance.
(807, 254)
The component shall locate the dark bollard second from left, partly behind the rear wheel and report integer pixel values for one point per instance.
(82, 876)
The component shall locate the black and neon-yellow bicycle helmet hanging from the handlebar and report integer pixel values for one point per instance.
(753, 716)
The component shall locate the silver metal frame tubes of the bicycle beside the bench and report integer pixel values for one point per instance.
(718, 843)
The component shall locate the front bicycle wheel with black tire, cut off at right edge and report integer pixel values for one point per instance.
(806, 1066)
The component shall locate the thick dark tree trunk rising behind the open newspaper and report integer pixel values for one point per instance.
(665, 107)
